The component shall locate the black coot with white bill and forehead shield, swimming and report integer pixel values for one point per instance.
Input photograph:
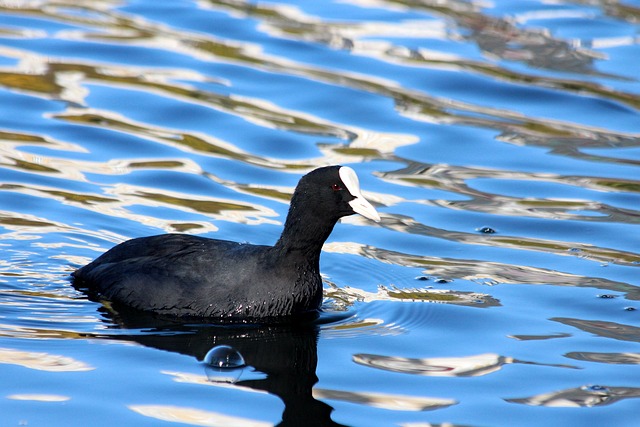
(190, 276)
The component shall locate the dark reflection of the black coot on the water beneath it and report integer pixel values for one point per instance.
(285, 354)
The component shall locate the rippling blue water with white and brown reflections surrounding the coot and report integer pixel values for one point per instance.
(499, 141)
